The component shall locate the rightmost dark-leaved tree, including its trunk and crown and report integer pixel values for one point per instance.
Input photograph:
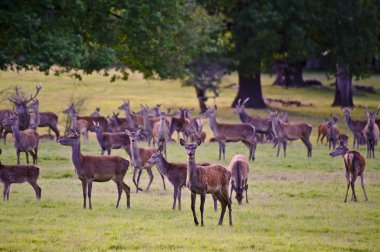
(351, 39)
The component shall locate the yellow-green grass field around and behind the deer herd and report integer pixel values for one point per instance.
(296, 203)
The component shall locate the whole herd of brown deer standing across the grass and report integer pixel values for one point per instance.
(157, 127)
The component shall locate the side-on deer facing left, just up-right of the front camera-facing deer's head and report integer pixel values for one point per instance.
(231, 133)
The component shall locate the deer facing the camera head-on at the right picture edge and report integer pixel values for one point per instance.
(371, 132)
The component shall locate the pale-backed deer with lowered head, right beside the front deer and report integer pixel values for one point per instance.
(239, 169)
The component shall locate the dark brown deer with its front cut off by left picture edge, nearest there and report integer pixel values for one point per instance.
(10, 174)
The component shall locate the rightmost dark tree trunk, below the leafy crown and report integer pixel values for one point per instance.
(343, 88)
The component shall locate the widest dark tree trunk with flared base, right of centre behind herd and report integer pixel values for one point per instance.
(250, 86)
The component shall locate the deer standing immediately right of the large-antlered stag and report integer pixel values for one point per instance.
(43, 119)
